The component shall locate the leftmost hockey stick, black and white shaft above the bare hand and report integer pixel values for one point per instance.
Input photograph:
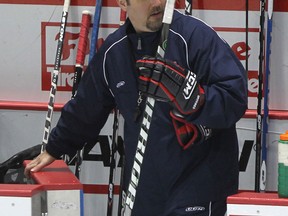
(55, 74)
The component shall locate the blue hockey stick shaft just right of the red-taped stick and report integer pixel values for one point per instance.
(95, 30)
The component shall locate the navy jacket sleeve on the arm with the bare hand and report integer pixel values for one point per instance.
(83, 117)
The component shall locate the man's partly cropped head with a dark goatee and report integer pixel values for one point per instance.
(145, 15)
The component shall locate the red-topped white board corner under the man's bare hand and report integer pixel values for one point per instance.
(56, 191)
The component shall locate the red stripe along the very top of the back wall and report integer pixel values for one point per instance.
(279, 5)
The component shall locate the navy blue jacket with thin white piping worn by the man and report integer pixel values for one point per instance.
(171, 178)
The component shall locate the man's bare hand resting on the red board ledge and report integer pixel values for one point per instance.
(41, 161)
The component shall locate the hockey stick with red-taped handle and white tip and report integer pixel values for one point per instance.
(80, 60)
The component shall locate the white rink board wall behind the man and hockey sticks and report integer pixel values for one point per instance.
(21, 67)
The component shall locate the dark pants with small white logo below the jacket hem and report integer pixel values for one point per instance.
(217, 208)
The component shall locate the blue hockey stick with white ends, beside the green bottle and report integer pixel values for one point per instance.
(266, 93)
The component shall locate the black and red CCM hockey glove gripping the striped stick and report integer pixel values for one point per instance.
(166, 81)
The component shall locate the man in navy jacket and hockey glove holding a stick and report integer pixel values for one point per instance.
(191, 160)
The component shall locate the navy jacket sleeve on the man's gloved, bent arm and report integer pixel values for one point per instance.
(222, 76)
